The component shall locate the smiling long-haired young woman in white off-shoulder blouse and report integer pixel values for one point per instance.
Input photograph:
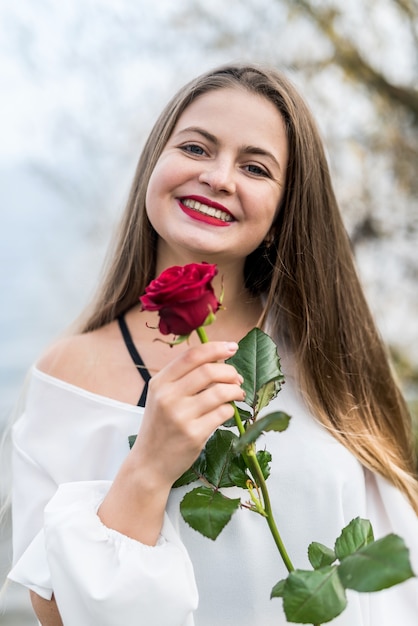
(233, 173)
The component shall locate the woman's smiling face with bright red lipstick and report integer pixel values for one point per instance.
(215, 189)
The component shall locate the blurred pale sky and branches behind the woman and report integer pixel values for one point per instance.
(82, 83)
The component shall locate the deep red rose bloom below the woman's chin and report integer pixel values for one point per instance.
(183, 297)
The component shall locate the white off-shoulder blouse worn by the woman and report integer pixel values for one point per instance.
(68, 446)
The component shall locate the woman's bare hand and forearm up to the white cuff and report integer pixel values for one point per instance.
(187, 400)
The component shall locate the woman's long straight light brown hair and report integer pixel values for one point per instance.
(307, 276)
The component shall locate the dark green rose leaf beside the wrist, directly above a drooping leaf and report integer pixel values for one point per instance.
(223, 466)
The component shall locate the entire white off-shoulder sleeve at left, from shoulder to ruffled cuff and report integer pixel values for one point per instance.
(97, 575)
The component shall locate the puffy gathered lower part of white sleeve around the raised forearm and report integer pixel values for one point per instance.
(102, 577)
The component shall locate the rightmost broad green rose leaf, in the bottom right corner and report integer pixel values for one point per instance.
(376, 566)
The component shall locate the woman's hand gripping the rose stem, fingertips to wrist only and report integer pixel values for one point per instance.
(186, 402)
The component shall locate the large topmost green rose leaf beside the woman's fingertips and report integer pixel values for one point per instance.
(258, 362)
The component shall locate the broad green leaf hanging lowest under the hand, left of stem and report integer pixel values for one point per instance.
(207, 511)
